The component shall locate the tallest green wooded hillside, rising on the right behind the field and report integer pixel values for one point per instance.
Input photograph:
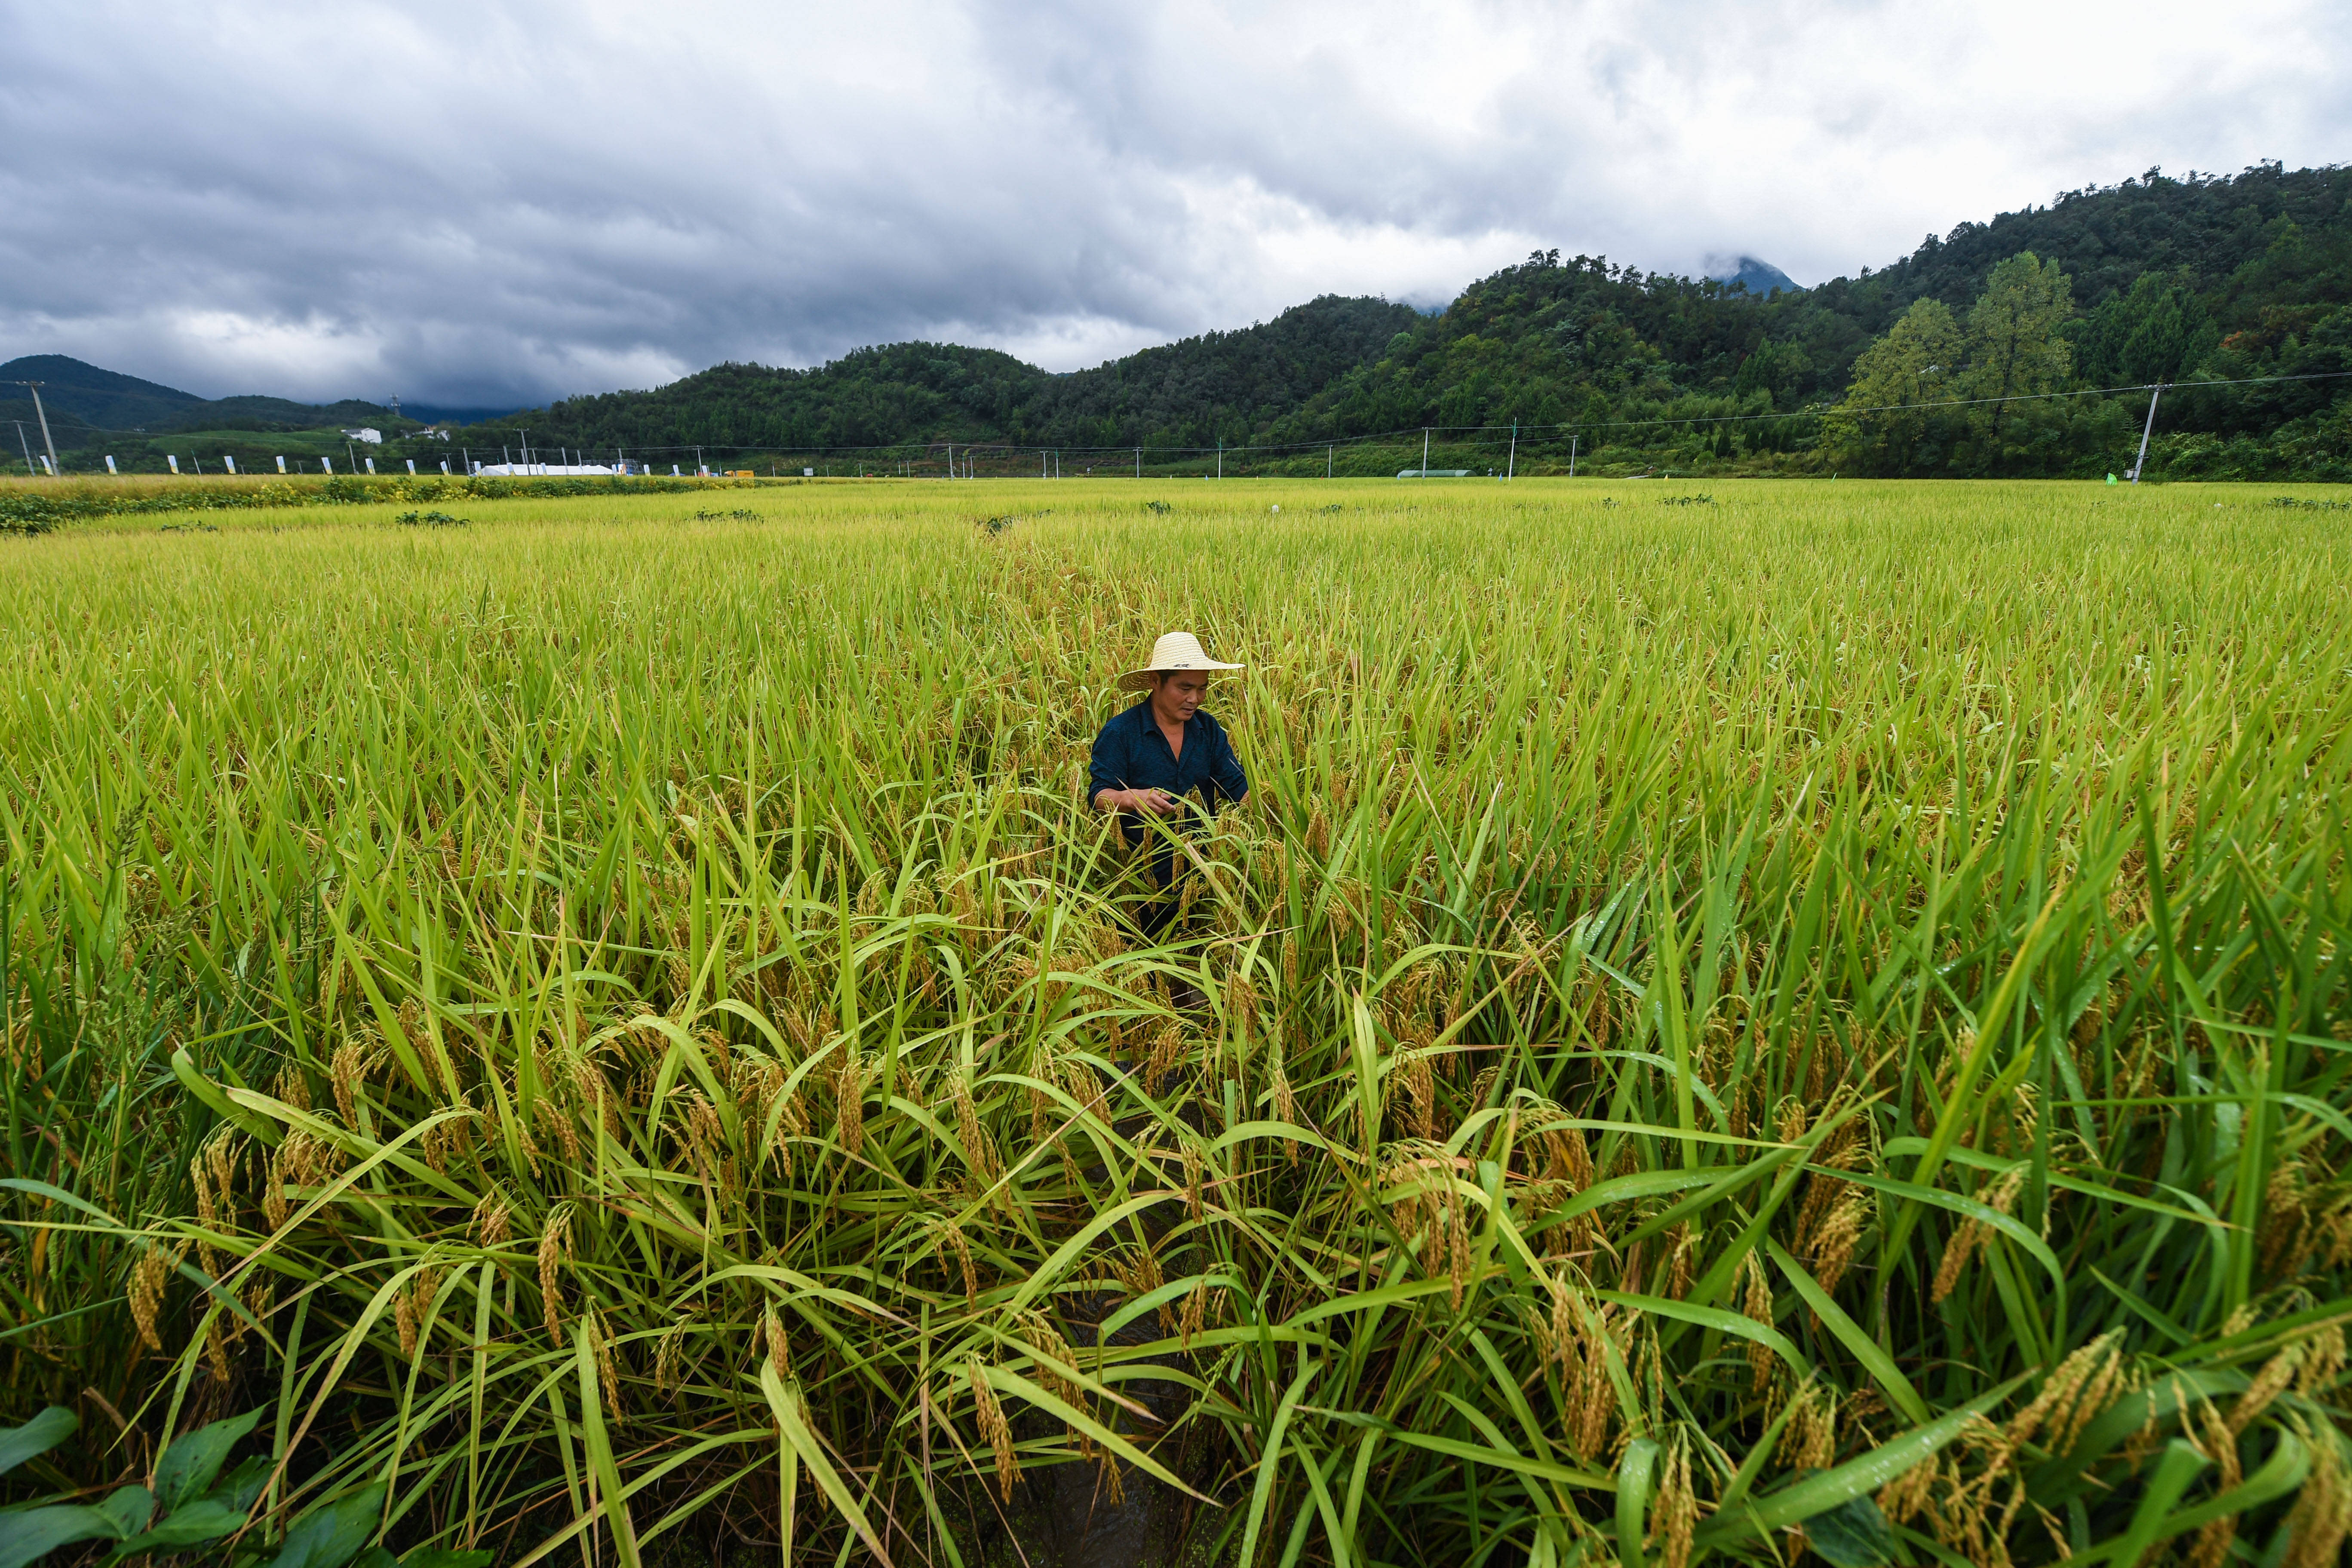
(2151, 281)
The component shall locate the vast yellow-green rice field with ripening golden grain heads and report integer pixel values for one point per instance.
(1770, 1024)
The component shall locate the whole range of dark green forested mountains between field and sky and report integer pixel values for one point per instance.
(1998, 349)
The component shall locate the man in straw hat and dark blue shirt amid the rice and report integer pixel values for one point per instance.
(1163, 763)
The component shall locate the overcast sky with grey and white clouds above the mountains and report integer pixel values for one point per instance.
(502, 203)
